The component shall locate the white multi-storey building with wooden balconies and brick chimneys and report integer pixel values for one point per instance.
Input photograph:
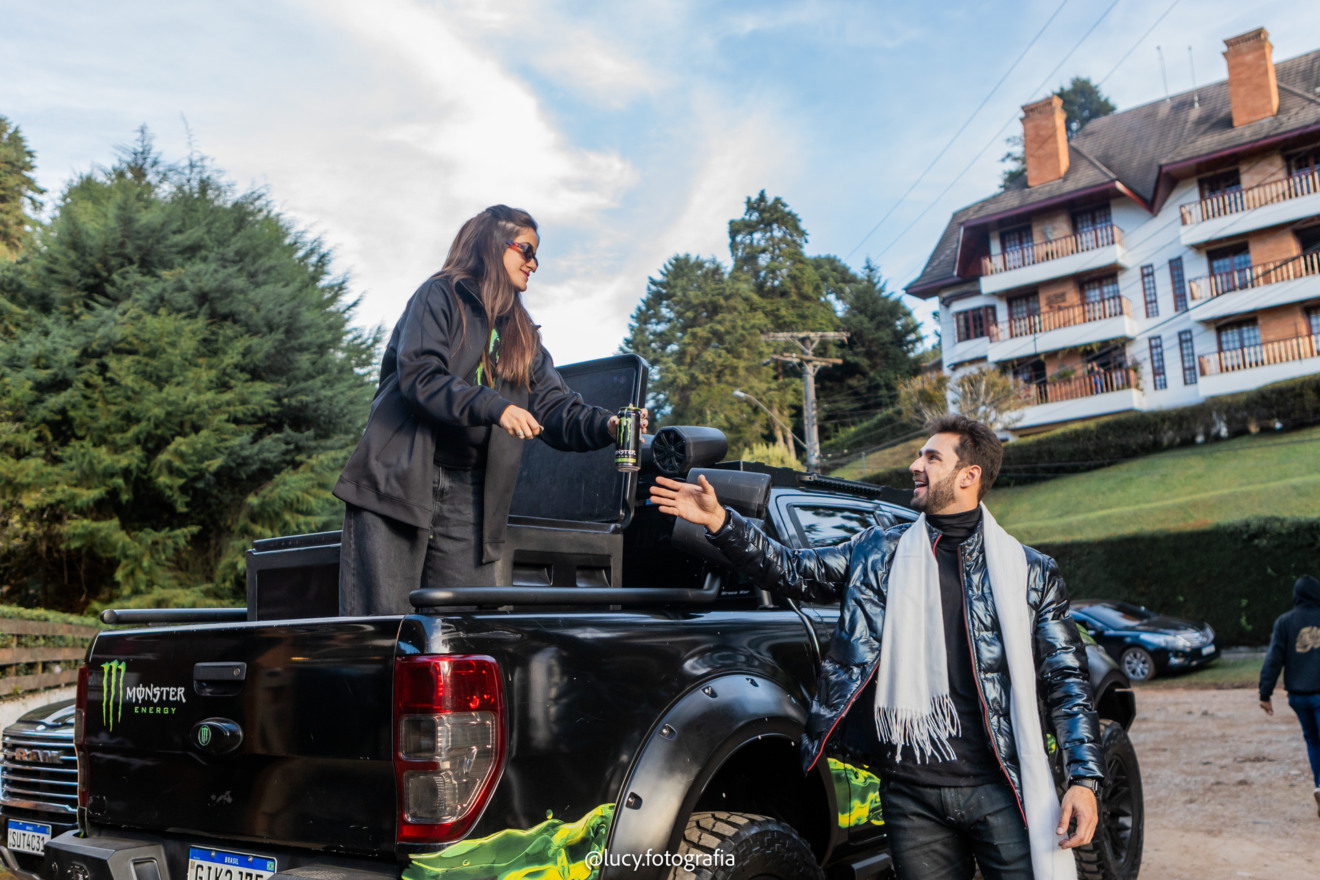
(1168, 254)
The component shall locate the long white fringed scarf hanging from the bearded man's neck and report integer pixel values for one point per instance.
(913, 703)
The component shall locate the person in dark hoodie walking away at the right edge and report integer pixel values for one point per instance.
(1296, 651)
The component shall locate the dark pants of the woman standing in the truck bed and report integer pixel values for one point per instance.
(383, 560)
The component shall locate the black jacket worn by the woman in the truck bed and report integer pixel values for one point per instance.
(427, 389)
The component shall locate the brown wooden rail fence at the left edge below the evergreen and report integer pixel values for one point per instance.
(39, 655)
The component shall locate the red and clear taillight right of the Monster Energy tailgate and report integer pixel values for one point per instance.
(449, 742)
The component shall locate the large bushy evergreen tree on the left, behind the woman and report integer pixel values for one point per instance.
(178, 378)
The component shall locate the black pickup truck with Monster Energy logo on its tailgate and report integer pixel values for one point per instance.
(628, 709)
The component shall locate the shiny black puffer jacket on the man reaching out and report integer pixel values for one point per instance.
(856, 573)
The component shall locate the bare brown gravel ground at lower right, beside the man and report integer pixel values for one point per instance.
(1228, 788)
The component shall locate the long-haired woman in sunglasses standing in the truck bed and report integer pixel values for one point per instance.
(464, 383)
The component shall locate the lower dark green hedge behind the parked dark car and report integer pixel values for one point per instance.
(1236, 576)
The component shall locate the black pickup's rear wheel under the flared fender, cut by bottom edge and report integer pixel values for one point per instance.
(741, 846)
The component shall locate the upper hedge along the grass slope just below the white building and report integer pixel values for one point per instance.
(1107, 441)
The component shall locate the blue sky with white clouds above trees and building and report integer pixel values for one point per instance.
(630, 131)
